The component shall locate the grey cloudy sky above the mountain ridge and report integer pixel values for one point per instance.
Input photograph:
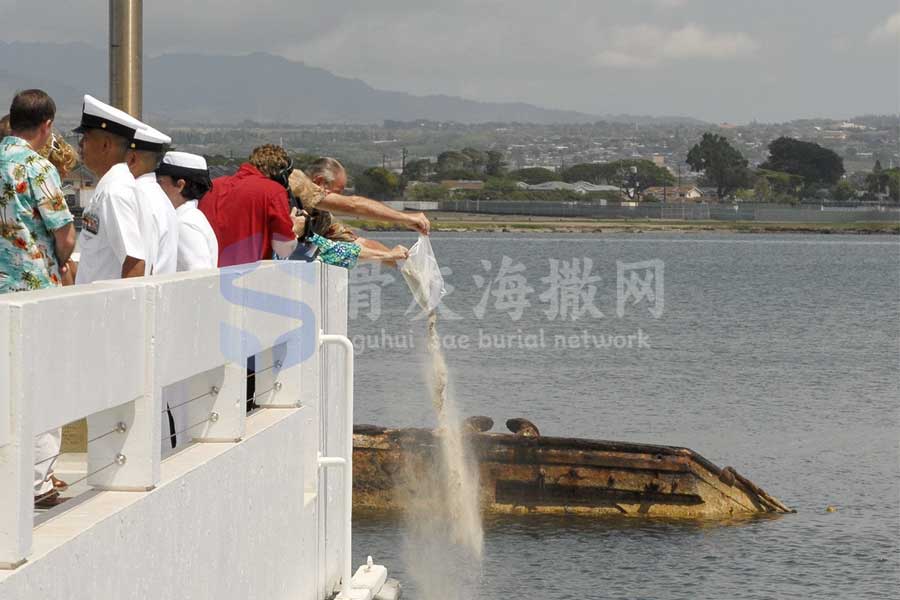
(720, 60)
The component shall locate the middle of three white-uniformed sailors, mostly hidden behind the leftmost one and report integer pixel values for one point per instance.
(147, 151)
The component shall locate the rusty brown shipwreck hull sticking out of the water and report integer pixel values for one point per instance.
(552, 475)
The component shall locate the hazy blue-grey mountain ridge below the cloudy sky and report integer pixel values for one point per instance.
(192, 88)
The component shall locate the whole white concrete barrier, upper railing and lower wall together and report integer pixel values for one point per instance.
(240, 514)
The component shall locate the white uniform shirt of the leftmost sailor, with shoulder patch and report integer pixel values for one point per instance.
(113, 226)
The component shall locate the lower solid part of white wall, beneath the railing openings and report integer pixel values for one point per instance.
(227, 521)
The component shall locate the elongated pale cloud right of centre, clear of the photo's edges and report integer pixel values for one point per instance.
(646, 46)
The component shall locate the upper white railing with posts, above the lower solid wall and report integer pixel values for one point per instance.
(115, 352)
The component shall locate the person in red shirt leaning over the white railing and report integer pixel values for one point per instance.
(250, 213)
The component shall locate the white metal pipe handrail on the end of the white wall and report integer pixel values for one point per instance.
(345, 462)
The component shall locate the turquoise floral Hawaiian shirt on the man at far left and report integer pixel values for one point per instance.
(32, 207)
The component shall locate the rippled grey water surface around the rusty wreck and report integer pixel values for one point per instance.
(775, 354)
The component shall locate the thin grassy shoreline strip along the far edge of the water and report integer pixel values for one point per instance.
(465, 222)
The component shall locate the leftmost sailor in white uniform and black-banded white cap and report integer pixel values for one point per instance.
(111, 241)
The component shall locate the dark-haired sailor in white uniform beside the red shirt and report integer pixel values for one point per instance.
(184, 177)
